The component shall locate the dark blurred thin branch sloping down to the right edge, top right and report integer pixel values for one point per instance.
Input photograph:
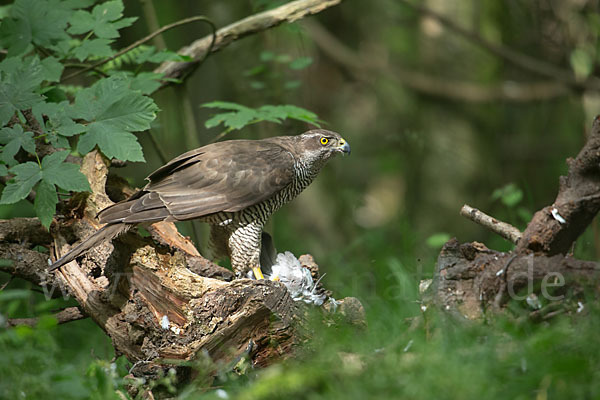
(521, 60)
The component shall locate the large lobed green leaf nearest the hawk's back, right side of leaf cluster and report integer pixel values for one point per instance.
(113, 111)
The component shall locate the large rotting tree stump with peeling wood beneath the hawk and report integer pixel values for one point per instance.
(160, 301)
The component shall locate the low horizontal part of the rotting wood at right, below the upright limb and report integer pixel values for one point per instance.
(470, 278)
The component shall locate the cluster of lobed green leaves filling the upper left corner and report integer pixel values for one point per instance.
(39, 112)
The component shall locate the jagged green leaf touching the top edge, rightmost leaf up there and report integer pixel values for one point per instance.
(104, 20)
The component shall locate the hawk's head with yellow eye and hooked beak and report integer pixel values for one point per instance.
(320, 145)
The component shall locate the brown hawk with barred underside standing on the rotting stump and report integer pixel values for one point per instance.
(232, 185)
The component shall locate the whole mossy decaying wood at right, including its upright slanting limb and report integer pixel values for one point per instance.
(470, 278)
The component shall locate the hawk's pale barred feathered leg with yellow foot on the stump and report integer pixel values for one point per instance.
(244, 248)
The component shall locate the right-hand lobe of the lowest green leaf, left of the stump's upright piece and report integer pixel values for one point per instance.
(67, 176)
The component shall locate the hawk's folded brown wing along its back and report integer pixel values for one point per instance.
(226, 176)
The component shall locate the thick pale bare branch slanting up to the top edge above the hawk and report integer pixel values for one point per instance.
(289, 12)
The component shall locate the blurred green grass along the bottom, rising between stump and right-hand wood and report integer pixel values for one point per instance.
(404, 353)
